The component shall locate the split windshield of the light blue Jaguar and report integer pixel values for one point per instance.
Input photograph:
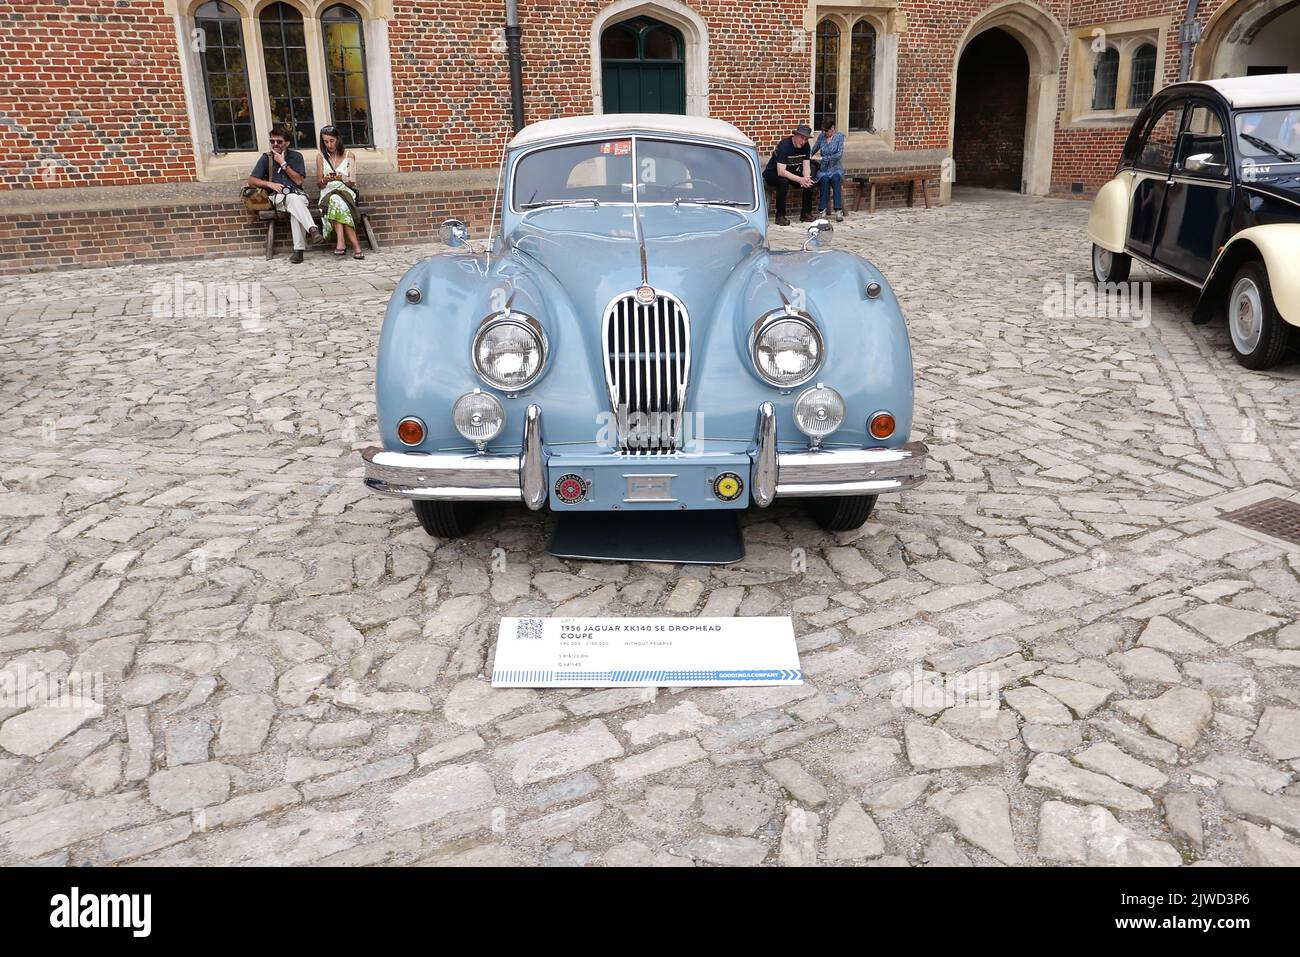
(603, 172)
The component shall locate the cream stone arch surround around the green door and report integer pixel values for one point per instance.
(666, 19)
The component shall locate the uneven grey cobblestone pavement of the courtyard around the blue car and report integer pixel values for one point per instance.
(293, 670)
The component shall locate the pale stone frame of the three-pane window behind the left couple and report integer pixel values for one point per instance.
(218, 167)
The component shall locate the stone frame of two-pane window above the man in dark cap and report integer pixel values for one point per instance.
(890, 21)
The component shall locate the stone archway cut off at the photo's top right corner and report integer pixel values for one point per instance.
(1249, 38)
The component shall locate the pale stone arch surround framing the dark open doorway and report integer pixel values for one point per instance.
(1042, 41)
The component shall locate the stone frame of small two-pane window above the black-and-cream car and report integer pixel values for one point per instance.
(1125, 38)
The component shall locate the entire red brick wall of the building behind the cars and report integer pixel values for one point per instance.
(93, 96)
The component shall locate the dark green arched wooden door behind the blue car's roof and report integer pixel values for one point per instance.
(643, 68)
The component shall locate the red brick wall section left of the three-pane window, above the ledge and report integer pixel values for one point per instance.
(93, 96)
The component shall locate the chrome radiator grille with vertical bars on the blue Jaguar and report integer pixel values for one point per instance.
(647, 367)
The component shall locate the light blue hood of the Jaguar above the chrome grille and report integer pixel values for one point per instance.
(593, 256)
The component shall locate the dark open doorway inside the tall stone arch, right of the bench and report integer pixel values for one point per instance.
(993, 99)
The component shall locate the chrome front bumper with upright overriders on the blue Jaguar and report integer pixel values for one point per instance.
(493, 478)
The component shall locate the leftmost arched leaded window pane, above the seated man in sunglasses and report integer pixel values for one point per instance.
(219, 41)
